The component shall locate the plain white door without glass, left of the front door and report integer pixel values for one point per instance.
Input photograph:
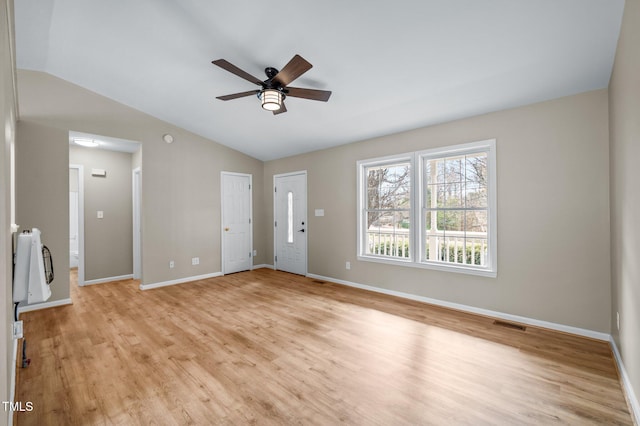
(236, 223)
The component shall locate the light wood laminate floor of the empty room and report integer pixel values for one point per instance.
(266, 347)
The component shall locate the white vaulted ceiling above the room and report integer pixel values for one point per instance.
(392, 66)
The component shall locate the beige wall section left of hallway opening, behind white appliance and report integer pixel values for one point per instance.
(42, 194)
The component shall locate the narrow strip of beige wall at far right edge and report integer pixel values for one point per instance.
(624, 100)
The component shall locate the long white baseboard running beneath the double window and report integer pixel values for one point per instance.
(472, 309)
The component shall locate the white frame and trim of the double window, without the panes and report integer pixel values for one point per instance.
(417, 244)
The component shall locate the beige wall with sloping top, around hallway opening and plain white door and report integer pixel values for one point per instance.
(180, 181)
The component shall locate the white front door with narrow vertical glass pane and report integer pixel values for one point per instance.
(290, 226)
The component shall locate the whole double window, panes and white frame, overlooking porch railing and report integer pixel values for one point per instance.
(448, 192)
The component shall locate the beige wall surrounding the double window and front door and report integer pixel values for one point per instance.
(553, 212)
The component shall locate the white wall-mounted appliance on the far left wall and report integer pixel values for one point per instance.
(33, 269)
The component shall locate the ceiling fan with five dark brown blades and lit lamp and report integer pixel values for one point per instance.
(275, 88)
